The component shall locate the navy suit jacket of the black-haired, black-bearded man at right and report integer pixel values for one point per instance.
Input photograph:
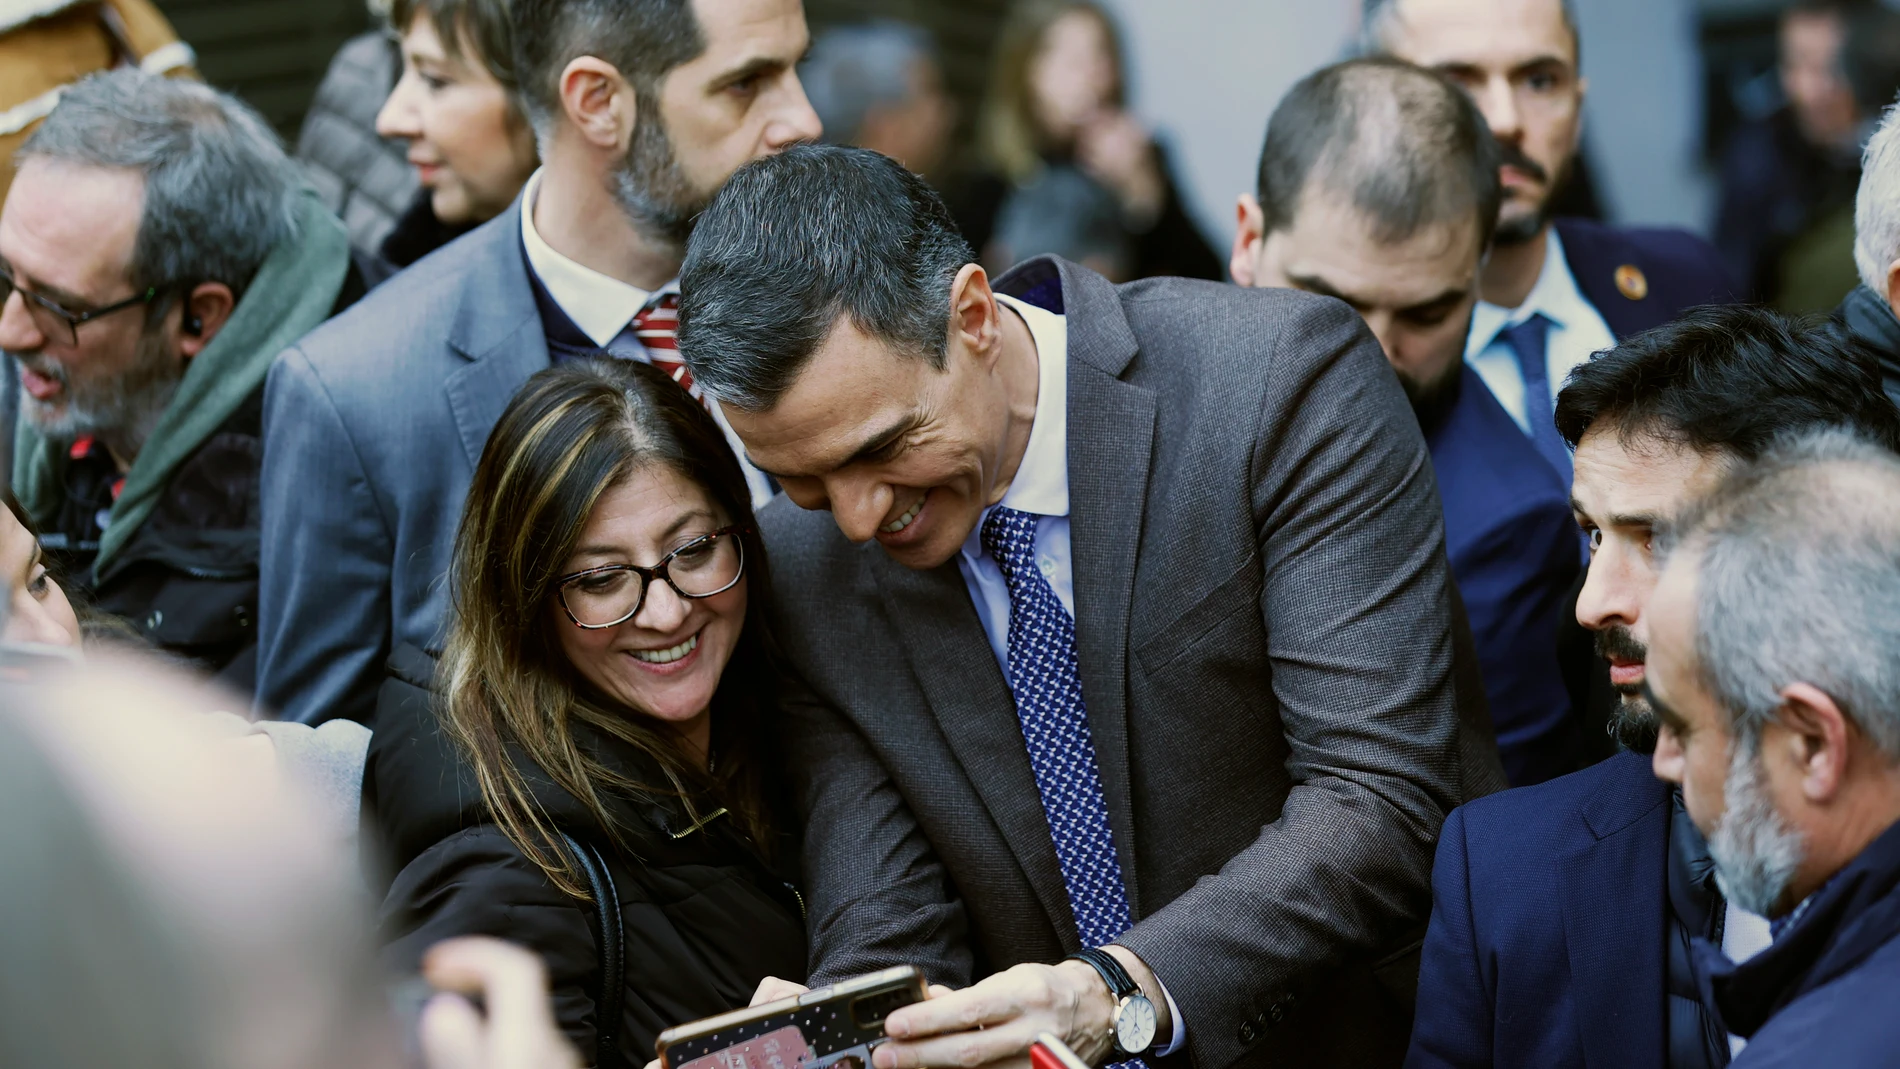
(1549, 920)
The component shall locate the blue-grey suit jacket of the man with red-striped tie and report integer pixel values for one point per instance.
(373, 426)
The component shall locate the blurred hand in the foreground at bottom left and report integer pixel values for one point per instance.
(518, 1030)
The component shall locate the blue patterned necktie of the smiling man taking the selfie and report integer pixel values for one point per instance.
(1055, 728)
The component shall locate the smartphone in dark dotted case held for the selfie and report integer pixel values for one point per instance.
(833, 1026)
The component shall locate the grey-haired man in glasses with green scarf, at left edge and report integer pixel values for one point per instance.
(157, 252)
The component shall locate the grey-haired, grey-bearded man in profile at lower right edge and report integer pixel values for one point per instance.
(1776, 677)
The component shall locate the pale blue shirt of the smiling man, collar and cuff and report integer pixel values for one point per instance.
(1040, 487)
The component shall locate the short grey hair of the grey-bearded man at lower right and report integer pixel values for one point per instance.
(1800, 582)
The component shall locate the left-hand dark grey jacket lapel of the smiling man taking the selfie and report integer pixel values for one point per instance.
(966, 692)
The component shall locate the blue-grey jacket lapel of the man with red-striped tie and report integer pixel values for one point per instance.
(497, 329)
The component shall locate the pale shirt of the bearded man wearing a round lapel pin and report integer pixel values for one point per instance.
(1576, 333)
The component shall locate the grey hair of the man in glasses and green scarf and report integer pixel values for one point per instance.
(219, 191)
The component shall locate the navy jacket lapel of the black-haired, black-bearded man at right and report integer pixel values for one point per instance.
(1616, 922)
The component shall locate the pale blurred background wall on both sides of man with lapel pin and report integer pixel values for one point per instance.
(1207, 73)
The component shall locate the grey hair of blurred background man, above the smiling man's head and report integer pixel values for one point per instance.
(854, 71)
